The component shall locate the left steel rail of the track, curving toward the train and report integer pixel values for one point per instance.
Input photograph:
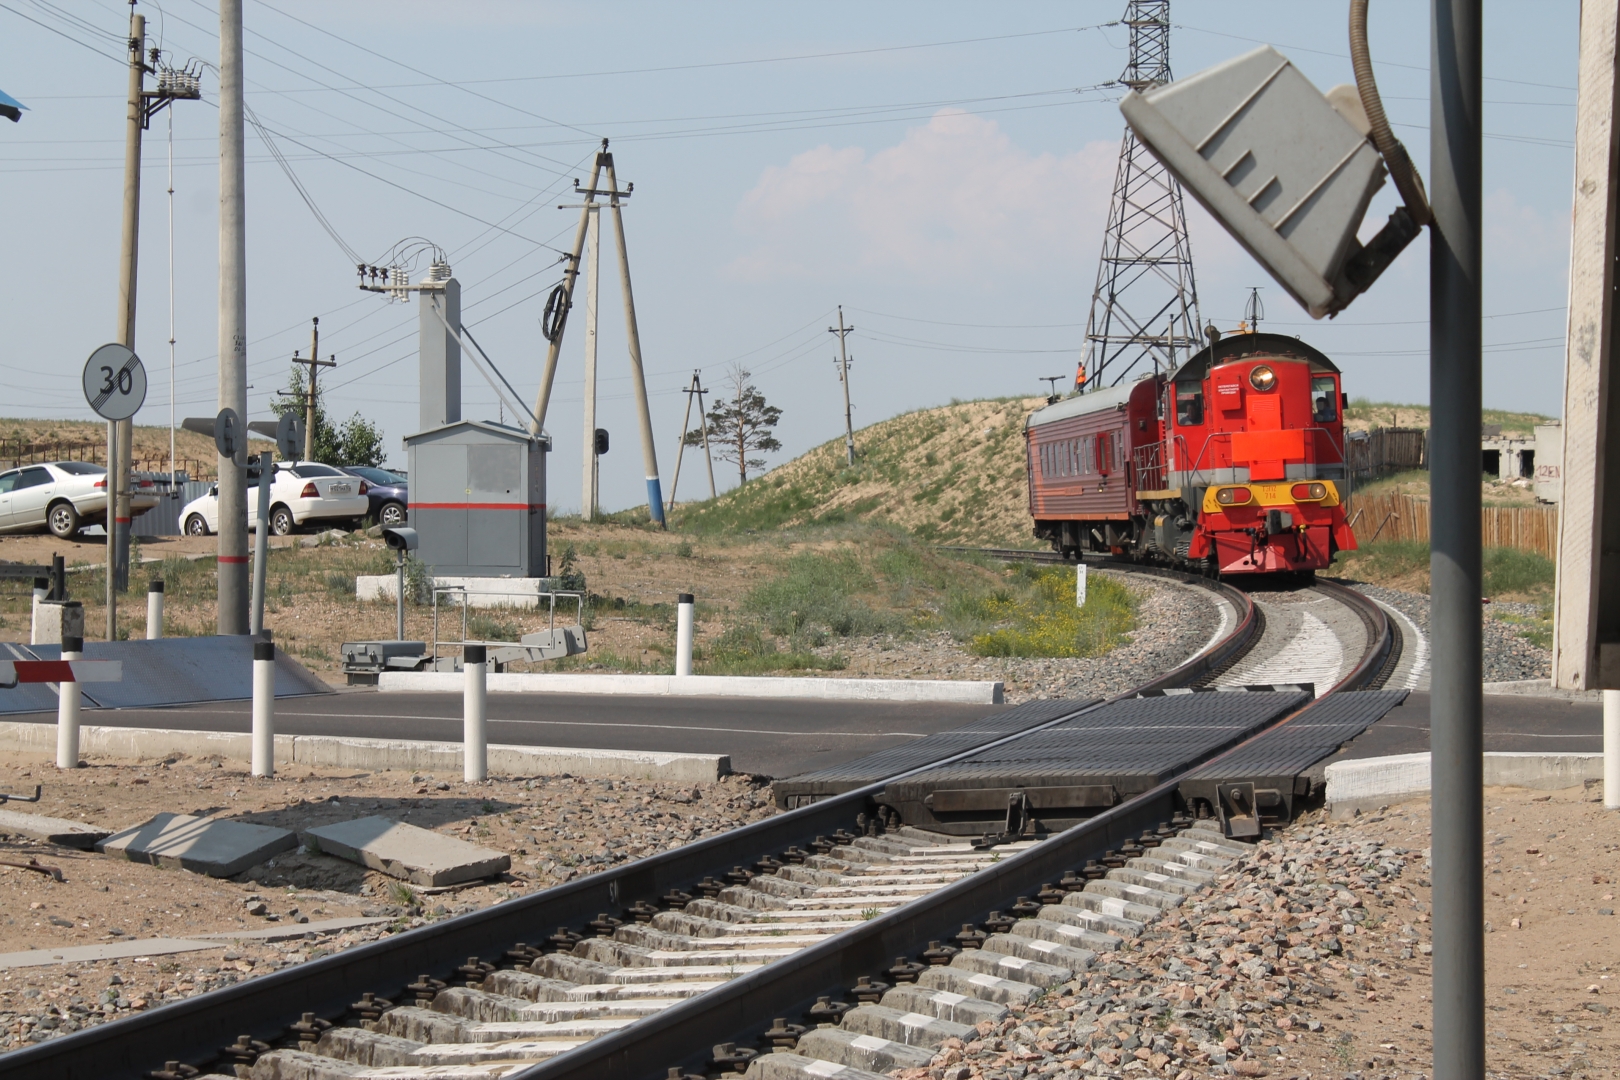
(197, 1029)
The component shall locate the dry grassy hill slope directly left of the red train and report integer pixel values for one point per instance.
(952, 475)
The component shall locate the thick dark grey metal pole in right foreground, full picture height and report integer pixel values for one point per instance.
(1456, 702)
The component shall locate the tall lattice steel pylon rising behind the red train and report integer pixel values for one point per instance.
(1146, 305)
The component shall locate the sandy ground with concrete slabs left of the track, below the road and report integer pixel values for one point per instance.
(555, 828)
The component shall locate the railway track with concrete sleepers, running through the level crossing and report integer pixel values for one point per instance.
(697, 959)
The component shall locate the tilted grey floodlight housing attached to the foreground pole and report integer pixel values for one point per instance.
(1287, 169)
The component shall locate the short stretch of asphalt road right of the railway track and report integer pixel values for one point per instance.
(1514, 723)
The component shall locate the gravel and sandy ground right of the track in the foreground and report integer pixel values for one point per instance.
(1313, 959)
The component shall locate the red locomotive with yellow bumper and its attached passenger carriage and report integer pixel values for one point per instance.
(1234, 464)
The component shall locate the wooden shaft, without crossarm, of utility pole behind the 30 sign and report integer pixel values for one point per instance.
(124, 430)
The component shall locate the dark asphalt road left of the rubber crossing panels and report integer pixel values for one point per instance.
(765, 738)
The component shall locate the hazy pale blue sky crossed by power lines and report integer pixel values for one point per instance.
(939, 169)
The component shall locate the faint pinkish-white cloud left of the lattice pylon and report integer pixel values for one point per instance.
(953, 198)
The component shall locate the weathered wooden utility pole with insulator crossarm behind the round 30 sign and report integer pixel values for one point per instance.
(121, 435)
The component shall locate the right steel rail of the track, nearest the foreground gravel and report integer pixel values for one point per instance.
(738, 1011)
